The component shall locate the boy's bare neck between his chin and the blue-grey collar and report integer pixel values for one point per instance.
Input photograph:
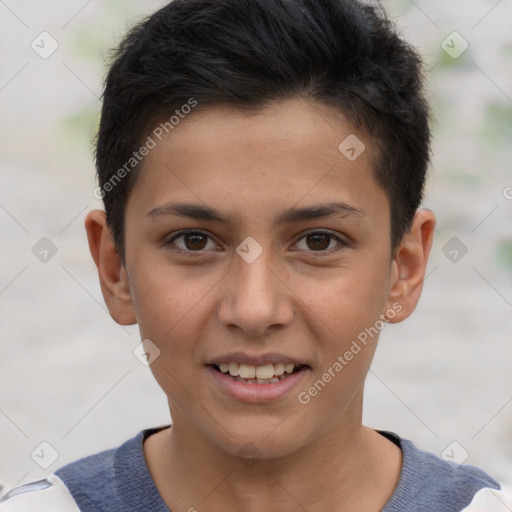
(349, 469)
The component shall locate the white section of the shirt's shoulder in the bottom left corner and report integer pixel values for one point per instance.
(47, 495)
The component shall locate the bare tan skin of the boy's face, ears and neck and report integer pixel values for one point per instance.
(304, 303)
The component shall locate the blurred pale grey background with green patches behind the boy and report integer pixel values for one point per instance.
(70, 384)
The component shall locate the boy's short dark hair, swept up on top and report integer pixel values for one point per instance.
(249, 53)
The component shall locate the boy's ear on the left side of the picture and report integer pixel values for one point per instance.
(113, 277)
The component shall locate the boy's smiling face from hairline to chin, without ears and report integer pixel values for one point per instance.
(255, 248)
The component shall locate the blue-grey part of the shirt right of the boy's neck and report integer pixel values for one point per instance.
(429, 483)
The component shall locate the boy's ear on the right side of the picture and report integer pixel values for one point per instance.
(409, 266)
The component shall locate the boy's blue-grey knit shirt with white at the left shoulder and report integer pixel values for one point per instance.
(118, 480)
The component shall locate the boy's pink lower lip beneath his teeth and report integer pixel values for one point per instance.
(256, 393)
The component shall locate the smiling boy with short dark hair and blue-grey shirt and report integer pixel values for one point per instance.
(261, 163)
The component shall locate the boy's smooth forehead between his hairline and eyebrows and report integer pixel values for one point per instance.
(291, 152)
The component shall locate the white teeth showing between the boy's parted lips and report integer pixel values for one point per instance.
(271, 373)
